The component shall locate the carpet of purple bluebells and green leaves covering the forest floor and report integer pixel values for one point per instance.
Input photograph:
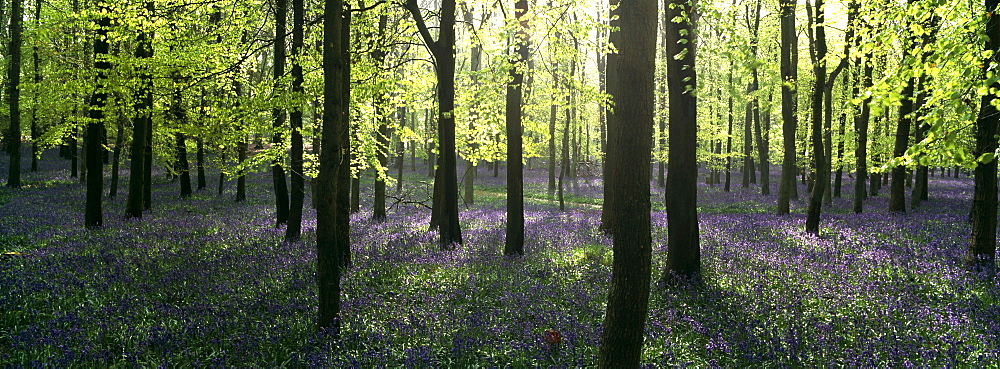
(206, 281)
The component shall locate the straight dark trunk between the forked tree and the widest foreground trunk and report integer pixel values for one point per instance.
(514, 243)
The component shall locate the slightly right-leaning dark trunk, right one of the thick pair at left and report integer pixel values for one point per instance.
(144, 102)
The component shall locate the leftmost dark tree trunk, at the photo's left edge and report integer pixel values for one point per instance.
(14, 96)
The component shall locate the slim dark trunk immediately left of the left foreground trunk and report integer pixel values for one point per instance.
(298, 181)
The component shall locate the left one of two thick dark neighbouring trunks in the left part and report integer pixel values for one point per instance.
(95, 162)
